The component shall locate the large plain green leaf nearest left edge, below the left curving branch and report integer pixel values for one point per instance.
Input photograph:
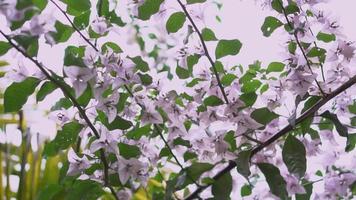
(16, 94)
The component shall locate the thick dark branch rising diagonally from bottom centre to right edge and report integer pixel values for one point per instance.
(281, 133)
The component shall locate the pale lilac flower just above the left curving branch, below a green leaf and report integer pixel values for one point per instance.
(79, 77)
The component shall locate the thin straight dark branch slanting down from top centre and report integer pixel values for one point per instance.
(205, 50)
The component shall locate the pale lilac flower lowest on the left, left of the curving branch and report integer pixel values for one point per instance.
(76, 164)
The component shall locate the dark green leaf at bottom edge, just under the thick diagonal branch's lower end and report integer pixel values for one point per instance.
(222, 187)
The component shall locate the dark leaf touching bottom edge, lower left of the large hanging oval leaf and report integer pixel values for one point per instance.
(274, 179)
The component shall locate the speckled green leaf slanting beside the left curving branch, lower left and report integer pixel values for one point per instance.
(64, 138)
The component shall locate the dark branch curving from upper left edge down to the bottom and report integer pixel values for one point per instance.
(73, 100)
